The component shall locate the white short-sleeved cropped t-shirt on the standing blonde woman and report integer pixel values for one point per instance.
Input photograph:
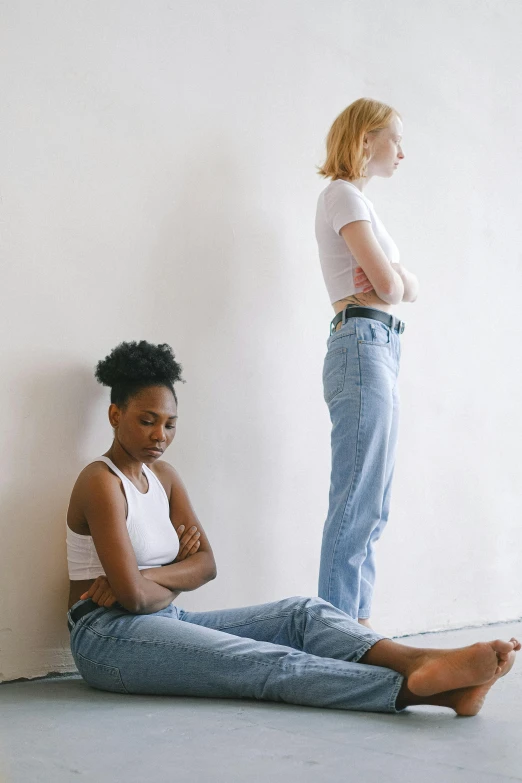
(341, 203)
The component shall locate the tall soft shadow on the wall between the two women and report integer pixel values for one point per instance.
(215, 262)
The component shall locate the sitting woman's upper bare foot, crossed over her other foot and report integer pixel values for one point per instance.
(436, 671)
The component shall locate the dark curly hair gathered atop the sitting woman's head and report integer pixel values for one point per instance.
(131, 367)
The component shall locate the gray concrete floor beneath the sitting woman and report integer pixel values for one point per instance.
(61, 731)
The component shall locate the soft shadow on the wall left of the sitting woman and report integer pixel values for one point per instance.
(51, 407)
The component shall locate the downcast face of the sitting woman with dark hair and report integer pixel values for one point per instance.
(146, 426)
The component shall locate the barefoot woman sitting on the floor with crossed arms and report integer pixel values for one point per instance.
(134, 544)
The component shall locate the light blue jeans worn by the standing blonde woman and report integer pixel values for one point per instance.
(360, 389)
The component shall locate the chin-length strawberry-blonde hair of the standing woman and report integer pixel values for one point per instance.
(345, 156)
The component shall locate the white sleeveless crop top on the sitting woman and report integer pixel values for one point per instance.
(152, 534)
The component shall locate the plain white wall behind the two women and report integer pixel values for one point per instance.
(158, 182)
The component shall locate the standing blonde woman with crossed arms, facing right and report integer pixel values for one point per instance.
(364, 279)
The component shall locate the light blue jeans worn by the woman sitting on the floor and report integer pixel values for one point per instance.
(299, 650)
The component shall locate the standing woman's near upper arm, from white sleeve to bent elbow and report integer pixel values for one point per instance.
(386, 281)
